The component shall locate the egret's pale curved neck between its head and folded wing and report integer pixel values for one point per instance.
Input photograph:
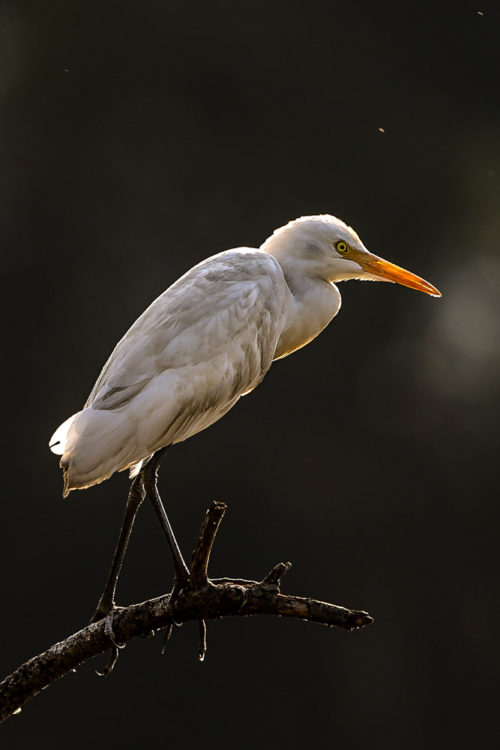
(311, 305)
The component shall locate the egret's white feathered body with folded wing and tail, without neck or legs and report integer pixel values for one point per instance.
(206, 341)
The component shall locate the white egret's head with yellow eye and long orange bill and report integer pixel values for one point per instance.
(324, 247)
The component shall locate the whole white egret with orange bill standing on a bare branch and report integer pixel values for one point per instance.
(206, 341)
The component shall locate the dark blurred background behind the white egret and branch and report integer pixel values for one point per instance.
(138, 138)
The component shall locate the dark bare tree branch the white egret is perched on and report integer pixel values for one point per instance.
(202, 599)
